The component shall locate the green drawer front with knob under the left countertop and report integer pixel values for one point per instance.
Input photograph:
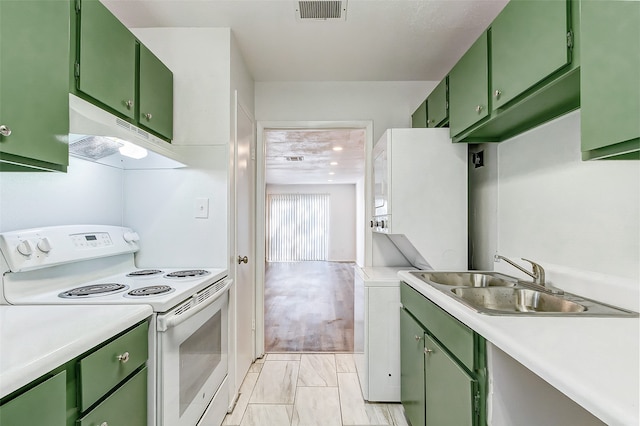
(102, 370)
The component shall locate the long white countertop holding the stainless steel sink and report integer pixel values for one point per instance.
(594, 361)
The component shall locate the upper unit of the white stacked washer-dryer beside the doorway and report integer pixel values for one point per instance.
(420, 191)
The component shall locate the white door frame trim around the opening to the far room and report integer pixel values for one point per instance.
(261, 197)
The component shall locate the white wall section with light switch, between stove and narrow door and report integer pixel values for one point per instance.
(160, 206)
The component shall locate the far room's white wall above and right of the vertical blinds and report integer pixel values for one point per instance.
(342, 234)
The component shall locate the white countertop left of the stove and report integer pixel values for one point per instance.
(36, 339)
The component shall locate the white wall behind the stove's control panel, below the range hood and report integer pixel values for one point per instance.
(89, 193)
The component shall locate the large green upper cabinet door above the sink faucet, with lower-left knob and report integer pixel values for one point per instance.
(528, 43)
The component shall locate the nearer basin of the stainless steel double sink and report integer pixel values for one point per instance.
(505, 299)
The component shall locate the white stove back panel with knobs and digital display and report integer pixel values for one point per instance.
(37, 248)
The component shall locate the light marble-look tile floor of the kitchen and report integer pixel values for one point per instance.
(307, 390)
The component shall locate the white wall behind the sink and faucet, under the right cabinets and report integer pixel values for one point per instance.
(536, 199)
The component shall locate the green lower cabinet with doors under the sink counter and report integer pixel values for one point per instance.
(441, 384)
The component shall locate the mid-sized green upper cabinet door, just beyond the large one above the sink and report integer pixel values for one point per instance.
(468, 88)
